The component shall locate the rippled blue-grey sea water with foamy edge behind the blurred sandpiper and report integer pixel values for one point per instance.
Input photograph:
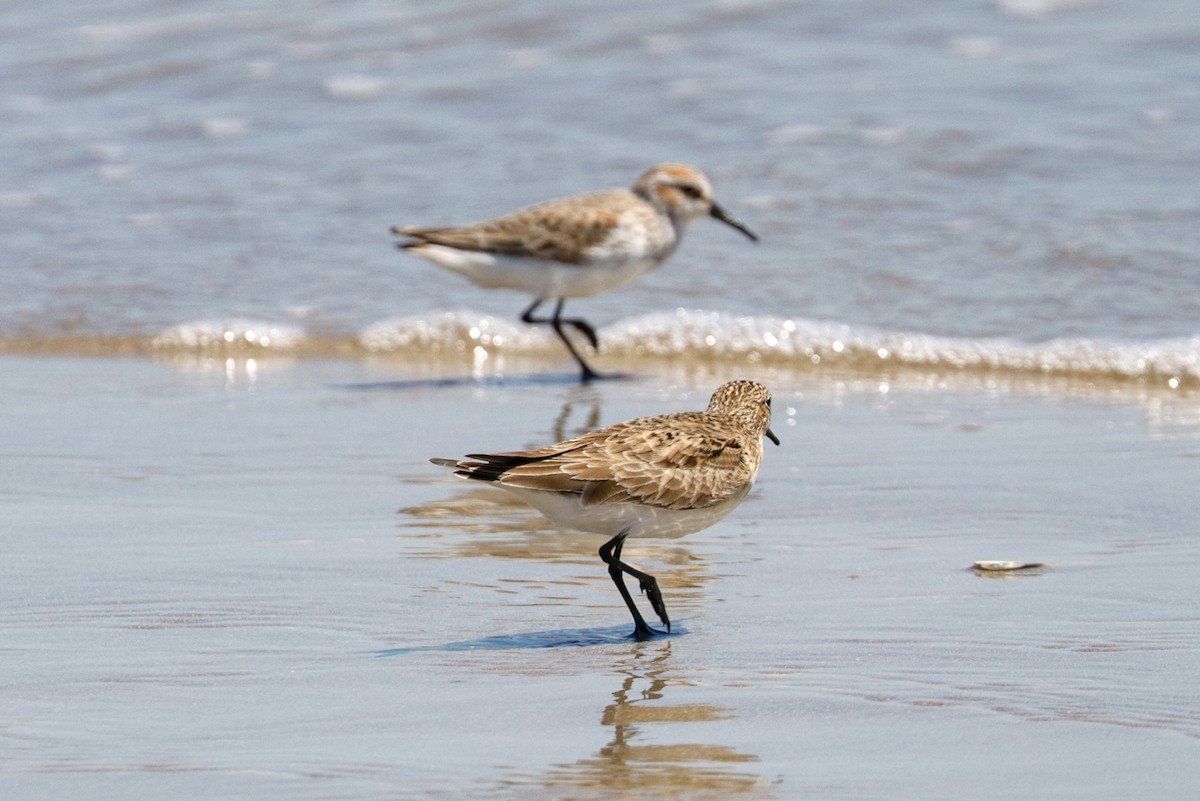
(1009, 176)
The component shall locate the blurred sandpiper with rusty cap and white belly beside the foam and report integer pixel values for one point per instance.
(578, 246)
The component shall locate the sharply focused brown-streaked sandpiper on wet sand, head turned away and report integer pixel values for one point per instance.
(662, 477)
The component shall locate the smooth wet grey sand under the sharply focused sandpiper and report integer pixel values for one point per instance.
(244, 581)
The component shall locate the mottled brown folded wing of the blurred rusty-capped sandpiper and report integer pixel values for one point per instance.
(557, 231)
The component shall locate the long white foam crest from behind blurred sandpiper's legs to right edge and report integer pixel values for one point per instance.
(715, 338)
